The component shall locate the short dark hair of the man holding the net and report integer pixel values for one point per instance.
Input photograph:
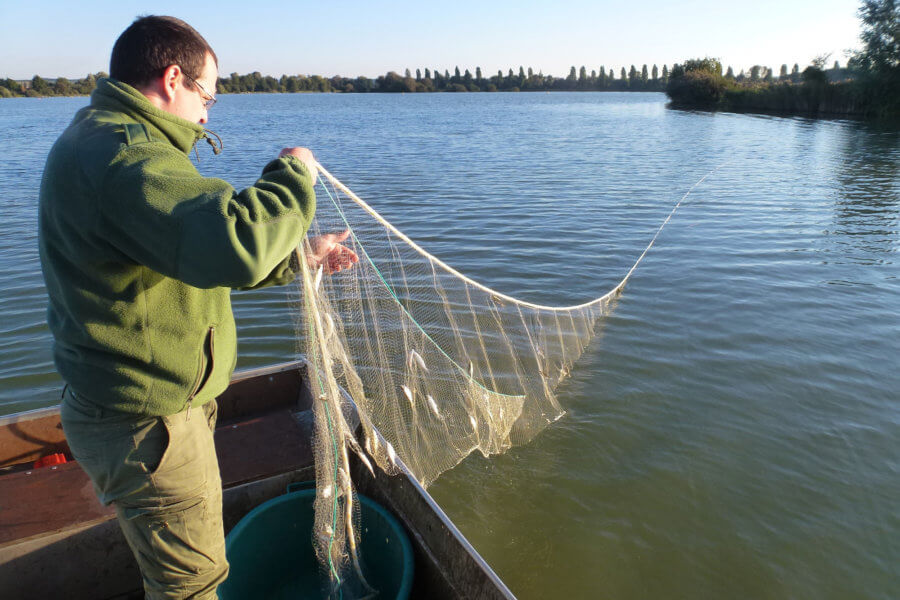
(153, 43)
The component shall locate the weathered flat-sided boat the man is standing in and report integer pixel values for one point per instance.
(58, 541)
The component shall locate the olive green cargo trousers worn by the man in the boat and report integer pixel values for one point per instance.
(162, 475)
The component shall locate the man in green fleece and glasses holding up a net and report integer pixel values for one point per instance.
(140, 253)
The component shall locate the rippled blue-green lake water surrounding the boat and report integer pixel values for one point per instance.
(734, 432)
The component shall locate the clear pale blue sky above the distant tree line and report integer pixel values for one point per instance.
(350, 37)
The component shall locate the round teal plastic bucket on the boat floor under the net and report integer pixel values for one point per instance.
(271, 553)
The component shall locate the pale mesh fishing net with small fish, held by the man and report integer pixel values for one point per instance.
(438, 365)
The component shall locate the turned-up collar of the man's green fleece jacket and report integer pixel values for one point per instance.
(111, 94)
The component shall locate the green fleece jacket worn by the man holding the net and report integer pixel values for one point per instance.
(140, 253)
